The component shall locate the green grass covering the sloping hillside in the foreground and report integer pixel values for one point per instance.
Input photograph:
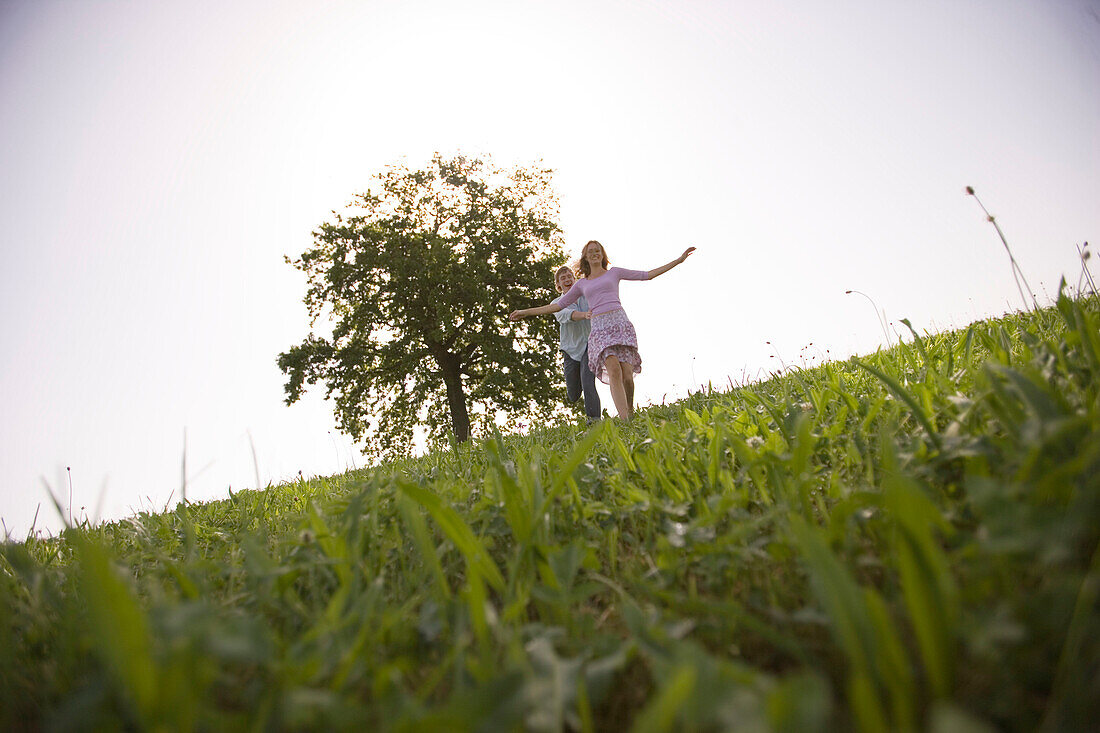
(908, 541)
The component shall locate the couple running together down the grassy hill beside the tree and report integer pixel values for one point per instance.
(612, 349)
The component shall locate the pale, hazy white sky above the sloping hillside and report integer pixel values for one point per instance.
(158, 160)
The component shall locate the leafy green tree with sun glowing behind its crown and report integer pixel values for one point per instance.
(419, 279)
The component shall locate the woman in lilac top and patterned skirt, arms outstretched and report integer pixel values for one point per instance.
(613, 345)
